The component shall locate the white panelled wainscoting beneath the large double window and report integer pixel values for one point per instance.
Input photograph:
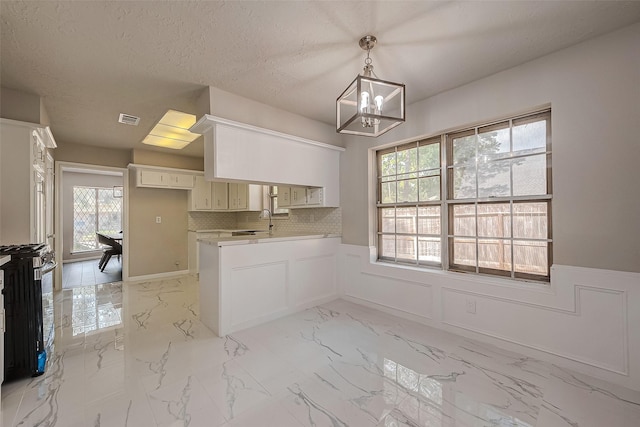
(586, 319)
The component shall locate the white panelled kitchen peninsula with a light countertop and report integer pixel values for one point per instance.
(249, 280)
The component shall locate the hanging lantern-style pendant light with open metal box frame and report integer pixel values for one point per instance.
(369, 106)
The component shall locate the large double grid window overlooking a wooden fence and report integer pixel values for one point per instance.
(495, 215)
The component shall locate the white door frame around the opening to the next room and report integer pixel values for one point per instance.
(61, 167)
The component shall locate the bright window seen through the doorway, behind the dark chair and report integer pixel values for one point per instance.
(94, 210)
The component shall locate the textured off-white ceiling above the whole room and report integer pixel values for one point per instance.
(91, 60)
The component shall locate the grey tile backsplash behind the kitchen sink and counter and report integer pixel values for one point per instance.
(308, 220)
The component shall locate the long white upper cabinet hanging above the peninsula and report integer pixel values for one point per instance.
(239, 152)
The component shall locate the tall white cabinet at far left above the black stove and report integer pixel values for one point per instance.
(23, 181)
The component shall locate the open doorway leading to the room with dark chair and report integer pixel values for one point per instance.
(89, 199)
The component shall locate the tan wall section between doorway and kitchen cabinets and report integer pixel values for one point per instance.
(155, 248)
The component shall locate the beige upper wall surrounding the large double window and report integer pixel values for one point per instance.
(594, 92)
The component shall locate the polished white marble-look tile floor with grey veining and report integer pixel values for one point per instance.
(135, 355)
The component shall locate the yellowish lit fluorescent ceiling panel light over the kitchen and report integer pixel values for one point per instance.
(172, 131)
